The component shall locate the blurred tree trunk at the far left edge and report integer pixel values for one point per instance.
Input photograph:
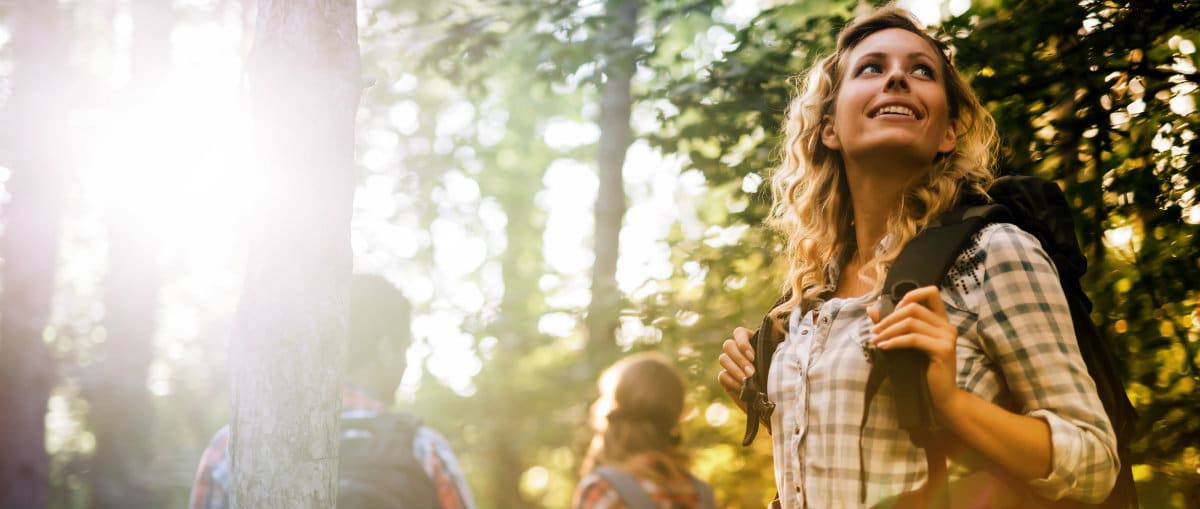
(35, 146)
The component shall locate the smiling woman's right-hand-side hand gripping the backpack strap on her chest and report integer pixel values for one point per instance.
(920, 322)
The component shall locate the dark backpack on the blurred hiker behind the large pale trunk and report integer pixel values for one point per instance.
(377, 469)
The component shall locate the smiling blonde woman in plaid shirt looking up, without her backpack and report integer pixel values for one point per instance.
(885, 137)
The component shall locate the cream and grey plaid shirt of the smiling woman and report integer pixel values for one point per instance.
(1017, 348)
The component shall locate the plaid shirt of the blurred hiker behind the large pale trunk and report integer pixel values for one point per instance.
(214, 477)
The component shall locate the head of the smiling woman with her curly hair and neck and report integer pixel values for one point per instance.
(836, 139)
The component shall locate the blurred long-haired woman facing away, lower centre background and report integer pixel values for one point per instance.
(638, 459)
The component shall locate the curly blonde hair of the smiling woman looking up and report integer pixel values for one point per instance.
(812, 206)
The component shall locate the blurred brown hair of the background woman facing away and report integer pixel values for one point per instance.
(638, 415)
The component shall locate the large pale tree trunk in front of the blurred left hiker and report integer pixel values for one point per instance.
(287, 351)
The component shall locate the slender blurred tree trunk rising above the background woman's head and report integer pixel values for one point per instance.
(616, 135)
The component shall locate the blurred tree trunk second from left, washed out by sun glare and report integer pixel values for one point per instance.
(122, 412)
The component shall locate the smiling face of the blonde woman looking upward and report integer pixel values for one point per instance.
(892, 105)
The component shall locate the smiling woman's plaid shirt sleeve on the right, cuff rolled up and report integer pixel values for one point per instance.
(1025, 327)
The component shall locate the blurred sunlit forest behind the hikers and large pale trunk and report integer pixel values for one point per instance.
(483, 145)
